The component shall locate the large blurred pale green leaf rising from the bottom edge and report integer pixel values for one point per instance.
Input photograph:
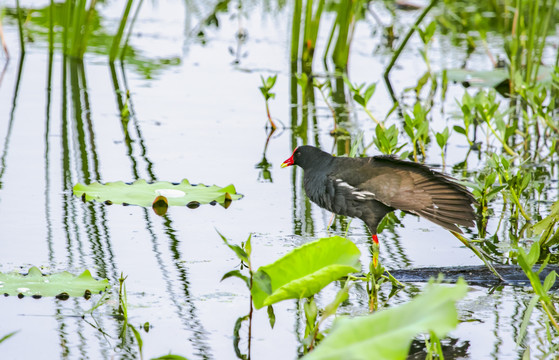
(387, 334)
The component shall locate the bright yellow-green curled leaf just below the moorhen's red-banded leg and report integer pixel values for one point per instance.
(305, 270)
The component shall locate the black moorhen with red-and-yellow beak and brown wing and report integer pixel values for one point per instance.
(371, 187)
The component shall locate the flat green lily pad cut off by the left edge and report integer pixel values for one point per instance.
(61, 285)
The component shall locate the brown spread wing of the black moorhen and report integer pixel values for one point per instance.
(411, 187)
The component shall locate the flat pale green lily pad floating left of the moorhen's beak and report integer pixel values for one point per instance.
(143, 193)
